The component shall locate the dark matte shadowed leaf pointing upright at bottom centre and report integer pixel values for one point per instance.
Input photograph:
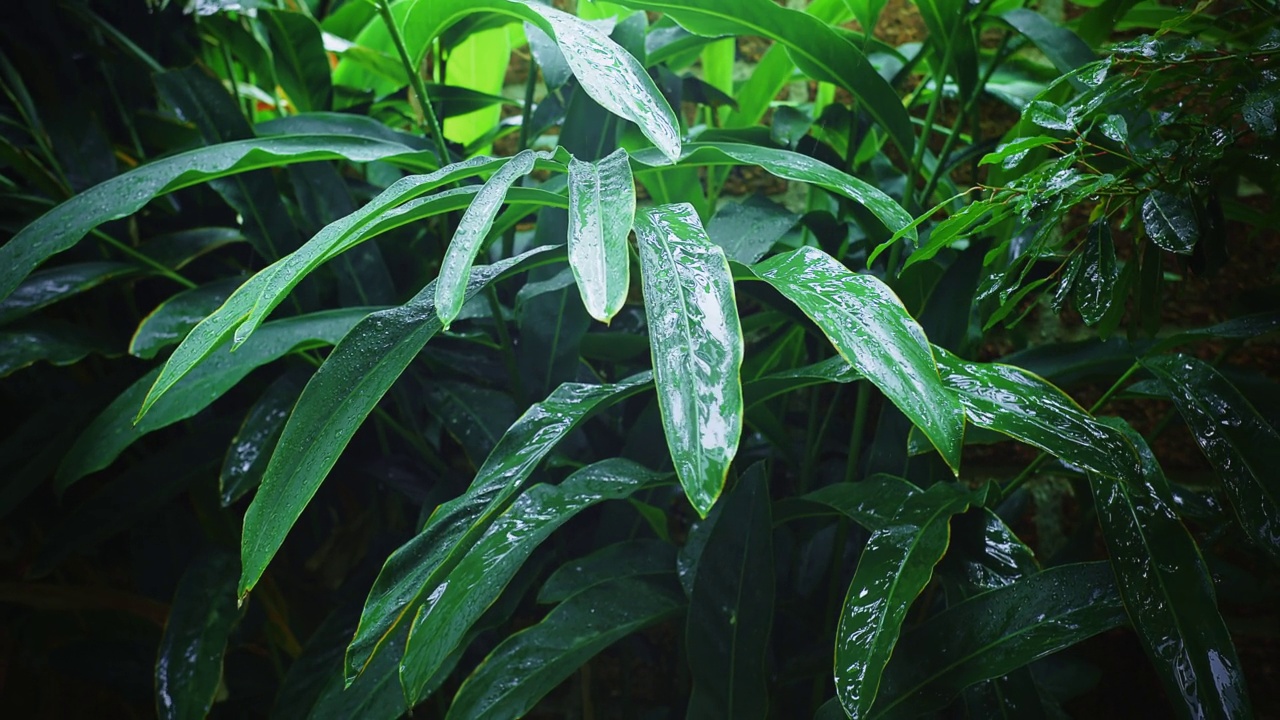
(732, 609)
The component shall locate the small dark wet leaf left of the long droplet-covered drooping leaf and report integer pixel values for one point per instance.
(253, 446)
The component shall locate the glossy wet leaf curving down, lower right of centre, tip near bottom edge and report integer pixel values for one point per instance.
(894, 568)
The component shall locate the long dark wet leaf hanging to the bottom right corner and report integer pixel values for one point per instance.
(1168, 593)
